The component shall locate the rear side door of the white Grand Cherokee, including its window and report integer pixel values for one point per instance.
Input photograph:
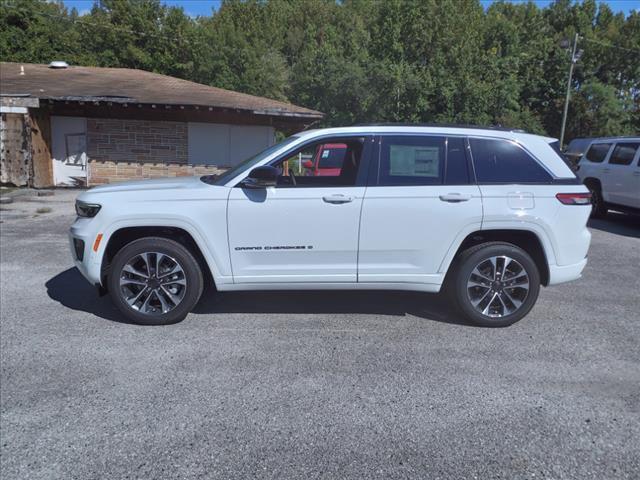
(420, 198)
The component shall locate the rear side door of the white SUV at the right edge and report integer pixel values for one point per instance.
(622, 186)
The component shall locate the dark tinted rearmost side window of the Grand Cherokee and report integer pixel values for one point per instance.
(503, 161)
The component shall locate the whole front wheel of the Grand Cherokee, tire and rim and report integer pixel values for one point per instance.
(155, 281)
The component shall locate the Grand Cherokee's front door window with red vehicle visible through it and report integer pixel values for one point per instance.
(329, 163)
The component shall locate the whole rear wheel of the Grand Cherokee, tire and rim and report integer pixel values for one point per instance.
(495, 284)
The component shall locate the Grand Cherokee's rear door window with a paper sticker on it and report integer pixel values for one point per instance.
(411, 160)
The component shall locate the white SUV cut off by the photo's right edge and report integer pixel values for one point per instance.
(610, 168)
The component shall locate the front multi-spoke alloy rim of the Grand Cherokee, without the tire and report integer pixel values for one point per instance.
(153, 283)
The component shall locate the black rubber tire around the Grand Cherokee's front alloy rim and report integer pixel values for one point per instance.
(178, 254)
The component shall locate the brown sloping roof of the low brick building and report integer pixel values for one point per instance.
(125, 85)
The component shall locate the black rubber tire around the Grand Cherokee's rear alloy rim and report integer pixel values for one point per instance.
(475, 256)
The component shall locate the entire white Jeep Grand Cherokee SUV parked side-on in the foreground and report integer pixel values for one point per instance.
(489, 214)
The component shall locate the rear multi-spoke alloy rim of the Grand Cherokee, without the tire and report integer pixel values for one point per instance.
(498, 286)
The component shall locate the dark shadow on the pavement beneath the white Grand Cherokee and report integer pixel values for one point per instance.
(71, 290)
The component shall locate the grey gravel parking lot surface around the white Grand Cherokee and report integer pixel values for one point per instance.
(316, 384)
